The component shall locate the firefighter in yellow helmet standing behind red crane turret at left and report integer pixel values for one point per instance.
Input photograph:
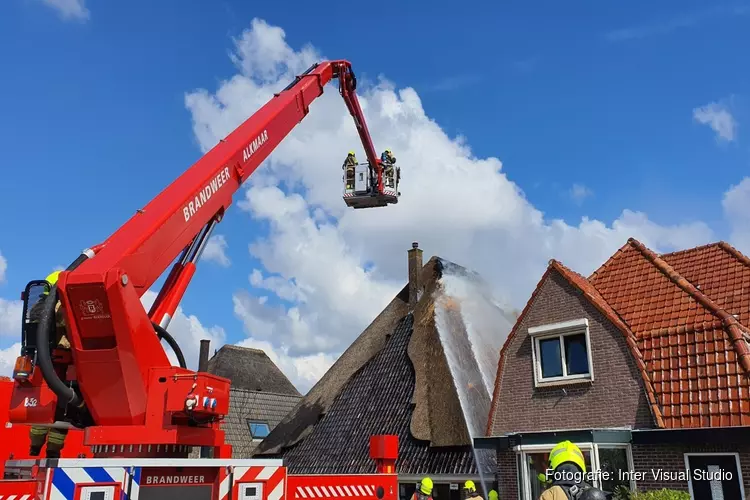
(55, 438)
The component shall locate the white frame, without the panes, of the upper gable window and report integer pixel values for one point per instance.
(560, 330)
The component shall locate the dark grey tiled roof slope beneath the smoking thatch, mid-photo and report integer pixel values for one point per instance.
(377, 400)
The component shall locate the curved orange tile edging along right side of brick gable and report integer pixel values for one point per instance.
(597, 300)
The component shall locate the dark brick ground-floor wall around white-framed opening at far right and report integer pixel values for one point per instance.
(672, 459)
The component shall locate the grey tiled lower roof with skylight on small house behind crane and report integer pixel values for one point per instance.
(247, 405)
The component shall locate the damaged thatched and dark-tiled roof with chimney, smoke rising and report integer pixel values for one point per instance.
(393, 379)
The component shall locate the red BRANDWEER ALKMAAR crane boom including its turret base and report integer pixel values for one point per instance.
(112, 337)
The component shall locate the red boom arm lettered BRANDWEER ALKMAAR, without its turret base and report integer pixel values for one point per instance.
(146, 244)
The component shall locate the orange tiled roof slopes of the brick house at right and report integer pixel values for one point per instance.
(695, 352)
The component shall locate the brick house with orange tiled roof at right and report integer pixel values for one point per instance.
(645, 365)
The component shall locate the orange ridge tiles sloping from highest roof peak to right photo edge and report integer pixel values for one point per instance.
(738, 335)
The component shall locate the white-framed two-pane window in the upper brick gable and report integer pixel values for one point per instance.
(561, 352)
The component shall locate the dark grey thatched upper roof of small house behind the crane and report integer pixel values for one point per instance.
(250, 369)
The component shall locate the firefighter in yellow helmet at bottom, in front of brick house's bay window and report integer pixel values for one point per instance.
(568, 468)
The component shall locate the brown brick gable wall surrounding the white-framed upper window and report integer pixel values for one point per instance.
(615, 398)
